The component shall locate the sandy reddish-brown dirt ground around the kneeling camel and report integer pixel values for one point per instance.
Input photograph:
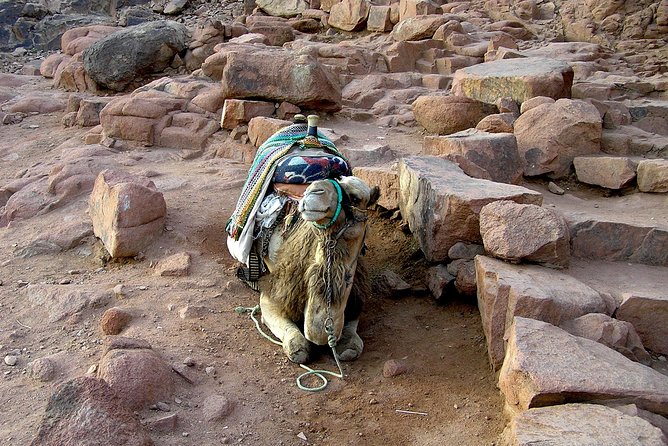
(448, 380)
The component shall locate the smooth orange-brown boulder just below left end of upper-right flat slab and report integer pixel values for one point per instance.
(444, 115)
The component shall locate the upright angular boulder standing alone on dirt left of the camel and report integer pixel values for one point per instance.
(128, 212)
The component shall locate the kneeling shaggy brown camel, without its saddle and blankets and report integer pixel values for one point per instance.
(316, 275)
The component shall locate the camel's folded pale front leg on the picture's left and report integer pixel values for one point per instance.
(295, 345)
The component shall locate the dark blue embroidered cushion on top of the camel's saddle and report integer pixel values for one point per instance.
(302, 169)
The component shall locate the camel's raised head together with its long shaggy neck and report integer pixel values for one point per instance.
(330, 203)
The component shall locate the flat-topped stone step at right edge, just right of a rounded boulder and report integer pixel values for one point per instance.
(632, 228)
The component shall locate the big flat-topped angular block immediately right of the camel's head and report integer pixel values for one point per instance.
(441, 203)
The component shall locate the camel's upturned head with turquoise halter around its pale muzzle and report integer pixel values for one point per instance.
(325, 200)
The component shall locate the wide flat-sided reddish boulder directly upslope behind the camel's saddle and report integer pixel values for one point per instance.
(252, 72)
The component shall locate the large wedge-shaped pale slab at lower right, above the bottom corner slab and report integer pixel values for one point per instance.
(546, 366)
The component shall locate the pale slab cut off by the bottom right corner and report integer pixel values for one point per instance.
(582, 425)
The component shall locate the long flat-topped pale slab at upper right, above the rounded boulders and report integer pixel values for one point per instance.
(520, 79)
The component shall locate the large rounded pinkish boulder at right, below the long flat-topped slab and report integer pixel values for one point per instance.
(551, 135)
